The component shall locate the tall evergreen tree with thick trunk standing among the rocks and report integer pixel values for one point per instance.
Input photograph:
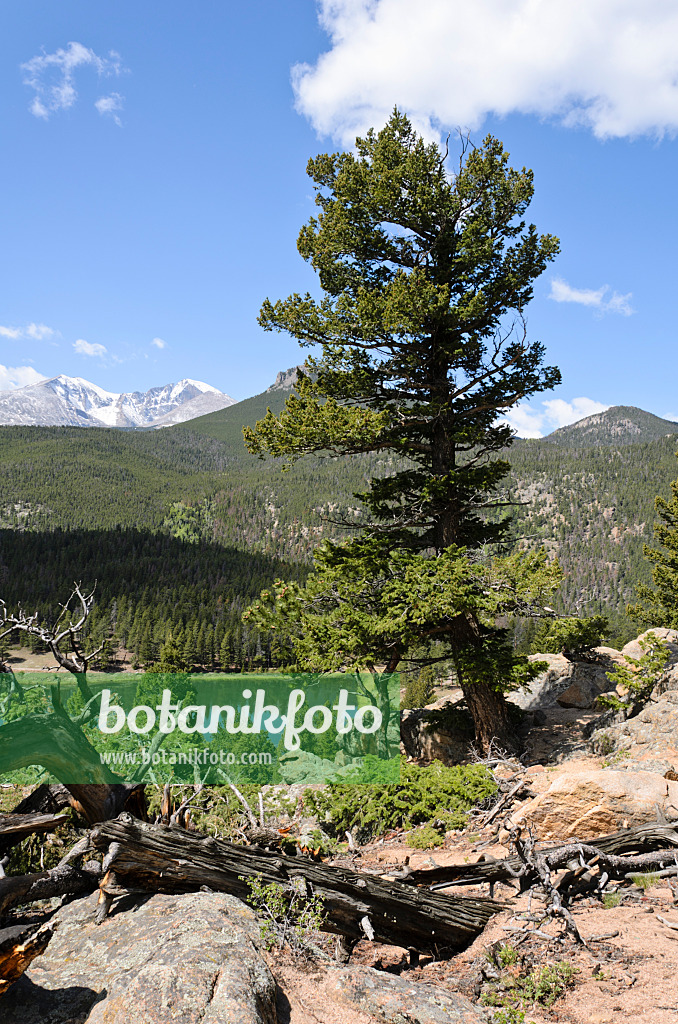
(426, 276)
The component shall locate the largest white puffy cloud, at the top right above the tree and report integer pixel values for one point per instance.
(611, 66)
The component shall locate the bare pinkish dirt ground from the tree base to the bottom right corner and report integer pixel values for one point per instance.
(627, 971)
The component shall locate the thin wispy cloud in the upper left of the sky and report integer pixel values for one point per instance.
(52, 76)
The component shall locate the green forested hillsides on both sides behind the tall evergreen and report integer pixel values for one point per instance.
(182, 527)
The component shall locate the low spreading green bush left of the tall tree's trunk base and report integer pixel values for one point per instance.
(425, 795)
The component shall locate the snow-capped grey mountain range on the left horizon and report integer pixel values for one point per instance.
(73, 402)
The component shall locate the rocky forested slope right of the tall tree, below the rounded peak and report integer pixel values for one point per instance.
(595, 508)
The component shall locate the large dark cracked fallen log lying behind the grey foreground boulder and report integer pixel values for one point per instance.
(162, 859)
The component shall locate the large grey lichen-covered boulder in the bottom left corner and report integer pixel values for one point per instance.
(185, 960)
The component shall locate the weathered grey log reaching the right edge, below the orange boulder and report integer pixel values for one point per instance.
(631, 849)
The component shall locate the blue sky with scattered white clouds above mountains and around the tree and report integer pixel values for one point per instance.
(154, 176)
